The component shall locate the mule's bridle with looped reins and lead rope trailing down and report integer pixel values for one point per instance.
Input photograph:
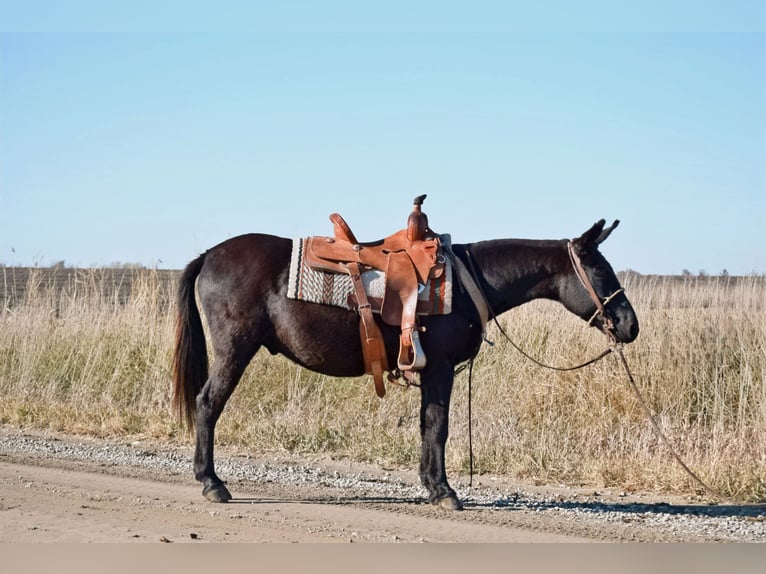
(608, 329)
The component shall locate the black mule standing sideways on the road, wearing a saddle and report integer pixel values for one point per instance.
(241, 286)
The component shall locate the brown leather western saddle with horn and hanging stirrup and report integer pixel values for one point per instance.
(409, 258)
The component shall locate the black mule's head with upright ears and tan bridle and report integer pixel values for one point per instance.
(618, 315)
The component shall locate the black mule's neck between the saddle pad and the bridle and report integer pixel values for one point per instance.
(514, 271)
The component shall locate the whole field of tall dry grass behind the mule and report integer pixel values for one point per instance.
(89, 351)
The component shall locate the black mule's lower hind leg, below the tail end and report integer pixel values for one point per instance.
(210, 402)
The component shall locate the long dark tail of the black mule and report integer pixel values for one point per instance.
(190, 366)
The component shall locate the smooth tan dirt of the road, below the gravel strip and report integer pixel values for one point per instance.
(41, 504)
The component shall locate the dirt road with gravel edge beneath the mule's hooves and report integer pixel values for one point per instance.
(78, 490)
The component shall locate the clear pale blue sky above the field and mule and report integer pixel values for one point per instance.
(151, 143)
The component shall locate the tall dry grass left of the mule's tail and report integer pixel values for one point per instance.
(77, 358)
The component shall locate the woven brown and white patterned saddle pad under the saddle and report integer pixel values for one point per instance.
(314, 286)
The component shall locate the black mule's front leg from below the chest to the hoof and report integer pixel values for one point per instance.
(436, 390)
